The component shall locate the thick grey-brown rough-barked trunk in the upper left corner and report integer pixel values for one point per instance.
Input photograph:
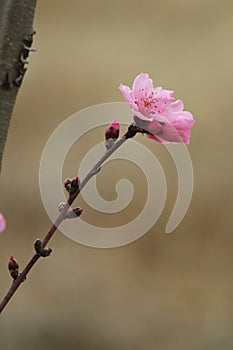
(16, 32)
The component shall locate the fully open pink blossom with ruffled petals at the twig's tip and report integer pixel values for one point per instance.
(157, 112)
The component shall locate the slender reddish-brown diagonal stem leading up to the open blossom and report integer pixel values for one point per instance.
(94, 170)
